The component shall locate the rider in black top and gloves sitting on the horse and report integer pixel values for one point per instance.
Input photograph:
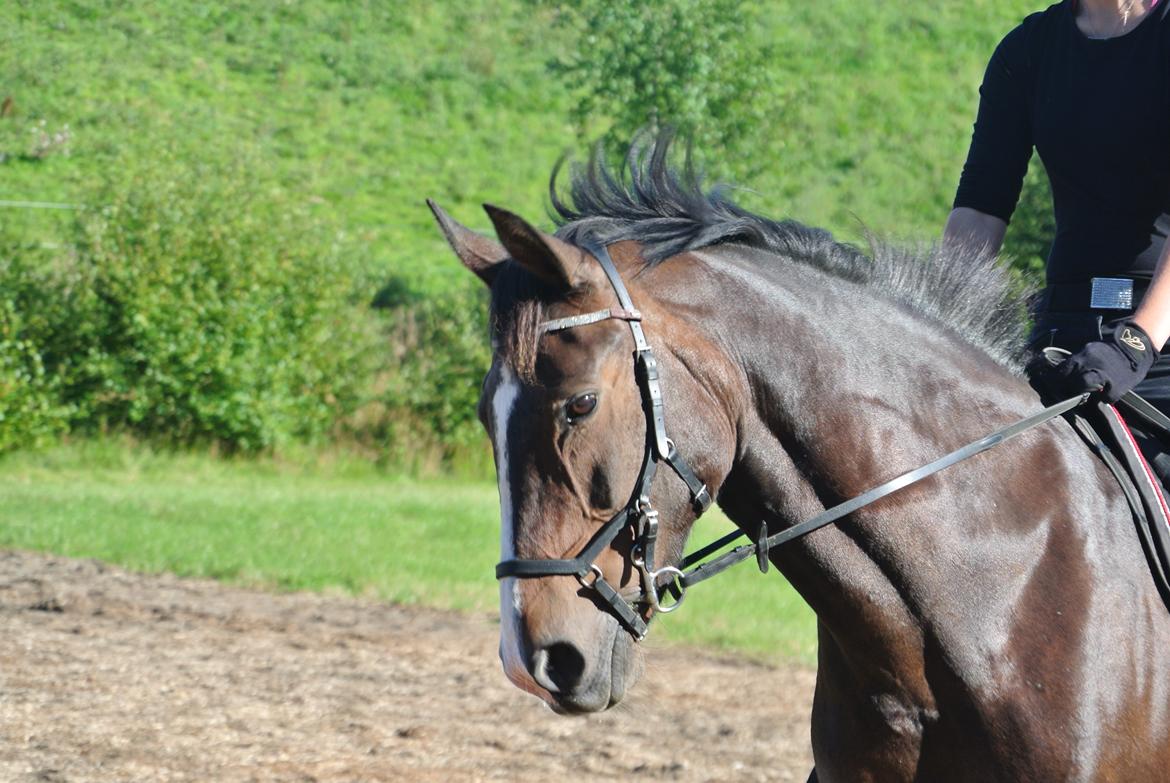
(1088, 85)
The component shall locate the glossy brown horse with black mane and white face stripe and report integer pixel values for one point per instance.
(994, 622)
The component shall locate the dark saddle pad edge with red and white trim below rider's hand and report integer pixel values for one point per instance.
(1151, 512)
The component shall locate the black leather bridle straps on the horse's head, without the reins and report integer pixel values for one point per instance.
(638, 514)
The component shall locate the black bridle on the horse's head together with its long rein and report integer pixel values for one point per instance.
(642, 518)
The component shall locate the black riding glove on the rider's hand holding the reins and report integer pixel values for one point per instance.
(1111, 367)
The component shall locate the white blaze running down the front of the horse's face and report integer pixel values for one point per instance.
(504, 402)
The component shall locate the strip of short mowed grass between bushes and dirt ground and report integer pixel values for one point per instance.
(341, 528)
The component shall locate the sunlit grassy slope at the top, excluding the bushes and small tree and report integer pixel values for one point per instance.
(363, 109)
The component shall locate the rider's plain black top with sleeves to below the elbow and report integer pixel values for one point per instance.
(1098, 113)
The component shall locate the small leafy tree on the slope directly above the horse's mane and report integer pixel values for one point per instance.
(679, 64)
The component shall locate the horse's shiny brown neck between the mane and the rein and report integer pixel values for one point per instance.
(854, 387)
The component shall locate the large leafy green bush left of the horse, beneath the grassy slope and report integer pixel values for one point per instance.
(183, 311)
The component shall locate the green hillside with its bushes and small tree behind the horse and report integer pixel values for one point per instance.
(342, 118)
